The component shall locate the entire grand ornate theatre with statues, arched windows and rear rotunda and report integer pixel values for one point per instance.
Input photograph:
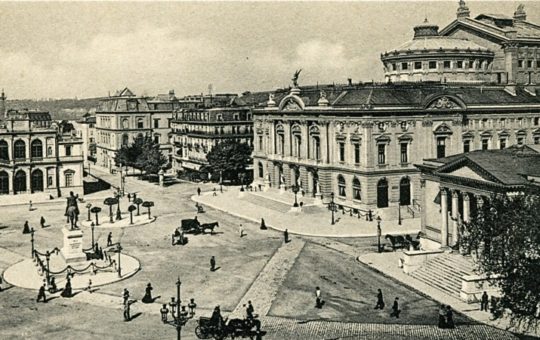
(470, 86)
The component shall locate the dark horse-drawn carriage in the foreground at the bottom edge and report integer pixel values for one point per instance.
(207, 329)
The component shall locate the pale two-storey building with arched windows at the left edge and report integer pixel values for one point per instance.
(35, 157)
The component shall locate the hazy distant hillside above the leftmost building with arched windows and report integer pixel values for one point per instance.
(60, 109)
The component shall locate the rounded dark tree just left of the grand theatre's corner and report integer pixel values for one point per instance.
(229, 158)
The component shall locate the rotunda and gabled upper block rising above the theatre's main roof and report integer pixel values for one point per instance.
(494, 48)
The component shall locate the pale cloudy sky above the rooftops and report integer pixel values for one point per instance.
(88, 49)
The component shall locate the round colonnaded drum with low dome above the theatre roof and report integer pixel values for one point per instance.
(432, 57)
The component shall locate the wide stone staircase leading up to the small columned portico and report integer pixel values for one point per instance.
(444, 272)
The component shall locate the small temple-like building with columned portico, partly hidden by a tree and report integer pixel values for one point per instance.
(453, 187)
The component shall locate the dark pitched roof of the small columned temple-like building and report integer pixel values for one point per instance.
(508, 166)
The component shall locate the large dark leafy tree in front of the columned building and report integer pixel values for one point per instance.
(505, 230)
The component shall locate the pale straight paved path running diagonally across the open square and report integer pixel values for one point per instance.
(264, 289)
